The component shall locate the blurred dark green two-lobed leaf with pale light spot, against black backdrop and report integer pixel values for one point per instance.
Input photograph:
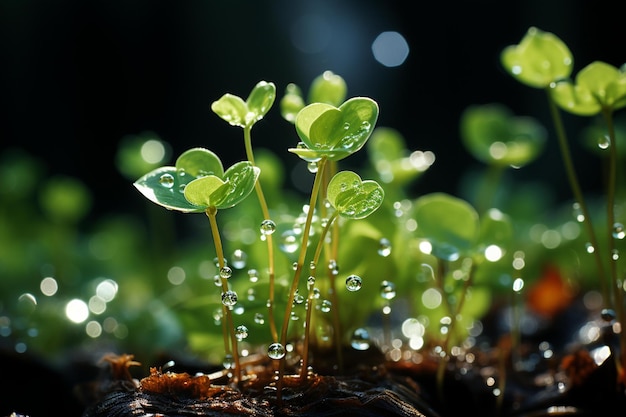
(494, 136)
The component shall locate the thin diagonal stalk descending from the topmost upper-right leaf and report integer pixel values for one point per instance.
(578, 195)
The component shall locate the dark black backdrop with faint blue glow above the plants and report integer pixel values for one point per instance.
(78, 76)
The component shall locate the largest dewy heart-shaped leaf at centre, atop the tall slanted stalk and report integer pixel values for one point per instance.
(335, 133)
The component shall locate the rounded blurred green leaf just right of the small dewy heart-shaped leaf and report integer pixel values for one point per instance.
(450, 224)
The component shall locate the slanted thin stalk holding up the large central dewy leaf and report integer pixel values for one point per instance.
(296, 278)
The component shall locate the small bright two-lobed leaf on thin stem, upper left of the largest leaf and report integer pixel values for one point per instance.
(241, 113)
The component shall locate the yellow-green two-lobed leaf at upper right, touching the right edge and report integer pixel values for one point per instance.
(598, 85)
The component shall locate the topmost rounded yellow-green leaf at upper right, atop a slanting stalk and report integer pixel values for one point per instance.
(540, 59)
